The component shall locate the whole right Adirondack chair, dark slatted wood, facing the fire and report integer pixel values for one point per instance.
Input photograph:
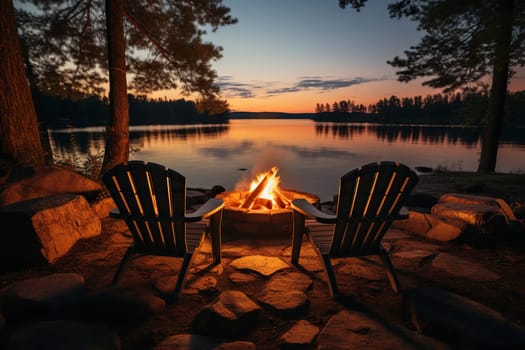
(370, 198)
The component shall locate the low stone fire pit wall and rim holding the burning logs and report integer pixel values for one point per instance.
(238, 222)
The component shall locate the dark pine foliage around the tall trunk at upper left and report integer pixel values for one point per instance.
(65, 45)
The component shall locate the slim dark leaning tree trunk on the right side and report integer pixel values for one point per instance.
(500, 78)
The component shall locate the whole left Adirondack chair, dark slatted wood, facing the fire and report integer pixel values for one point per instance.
(152, 200)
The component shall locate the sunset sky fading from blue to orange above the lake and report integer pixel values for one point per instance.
(289, 55)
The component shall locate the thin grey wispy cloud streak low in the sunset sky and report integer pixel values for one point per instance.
(231, 88)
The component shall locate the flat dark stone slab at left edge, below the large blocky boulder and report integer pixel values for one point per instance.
(55, 290)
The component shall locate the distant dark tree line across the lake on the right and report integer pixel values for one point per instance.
(460, 108)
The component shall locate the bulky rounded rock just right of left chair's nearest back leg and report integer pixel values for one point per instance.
(231, 314)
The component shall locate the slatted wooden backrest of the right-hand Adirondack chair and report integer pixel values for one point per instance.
(369, 200)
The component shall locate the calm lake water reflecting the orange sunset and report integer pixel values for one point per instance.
(310, 156)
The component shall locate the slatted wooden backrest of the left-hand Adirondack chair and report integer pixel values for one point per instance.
(152, 200)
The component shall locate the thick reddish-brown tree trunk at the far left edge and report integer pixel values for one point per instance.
(19, 134)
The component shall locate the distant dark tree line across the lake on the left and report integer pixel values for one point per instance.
(94, 110)
